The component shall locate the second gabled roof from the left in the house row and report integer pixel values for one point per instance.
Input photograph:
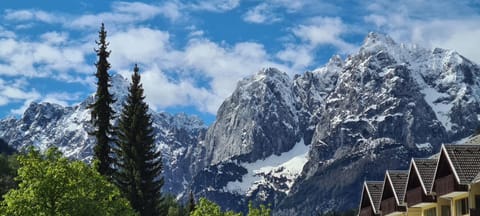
(398, 181)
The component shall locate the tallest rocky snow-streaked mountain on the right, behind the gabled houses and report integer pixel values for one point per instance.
(390, 102)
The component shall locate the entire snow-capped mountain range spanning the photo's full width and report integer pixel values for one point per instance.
(303, 144)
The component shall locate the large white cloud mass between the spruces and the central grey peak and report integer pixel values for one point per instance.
(171, 75)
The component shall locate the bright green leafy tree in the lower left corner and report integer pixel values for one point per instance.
(50, 184)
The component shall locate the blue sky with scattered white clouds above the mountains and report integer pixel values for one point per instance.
(192, 53)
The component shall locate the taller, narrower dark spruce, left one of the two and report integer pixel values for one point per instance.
(102, 112)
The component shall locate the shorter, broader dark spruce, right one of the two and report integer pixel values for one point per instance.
(139, 165)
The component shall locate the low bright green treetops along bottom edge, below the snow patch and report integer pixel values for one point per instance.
(209, 208)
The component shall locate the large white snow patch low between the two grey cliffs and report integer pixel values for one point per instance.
(288, 165)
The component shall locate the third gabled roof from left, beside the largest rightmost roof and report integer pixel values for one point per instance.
(425, 169)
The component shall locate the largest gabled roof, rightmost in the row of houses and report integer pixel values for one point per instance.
(464, 160)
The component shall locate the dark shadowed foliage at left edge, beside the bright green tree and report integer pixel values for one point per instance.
(8, 171)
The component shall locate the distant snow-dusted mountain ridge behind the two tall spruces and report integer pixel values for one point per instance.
(45, 125)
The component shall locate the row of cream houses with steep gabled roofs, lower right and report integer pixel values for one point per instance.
(445, 186)
